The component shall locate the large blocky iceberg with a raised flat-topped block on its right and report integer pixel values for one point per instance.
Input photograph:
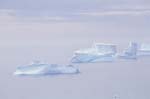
(100, 52)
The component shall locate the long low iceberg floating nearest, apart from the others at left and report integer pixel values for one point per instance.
(38, 68)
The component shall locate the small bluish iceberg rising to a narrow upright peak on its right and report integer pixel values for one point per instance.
(130, 52)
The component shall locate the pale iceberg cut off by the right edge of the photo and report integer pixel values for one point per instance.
(144, 49)
